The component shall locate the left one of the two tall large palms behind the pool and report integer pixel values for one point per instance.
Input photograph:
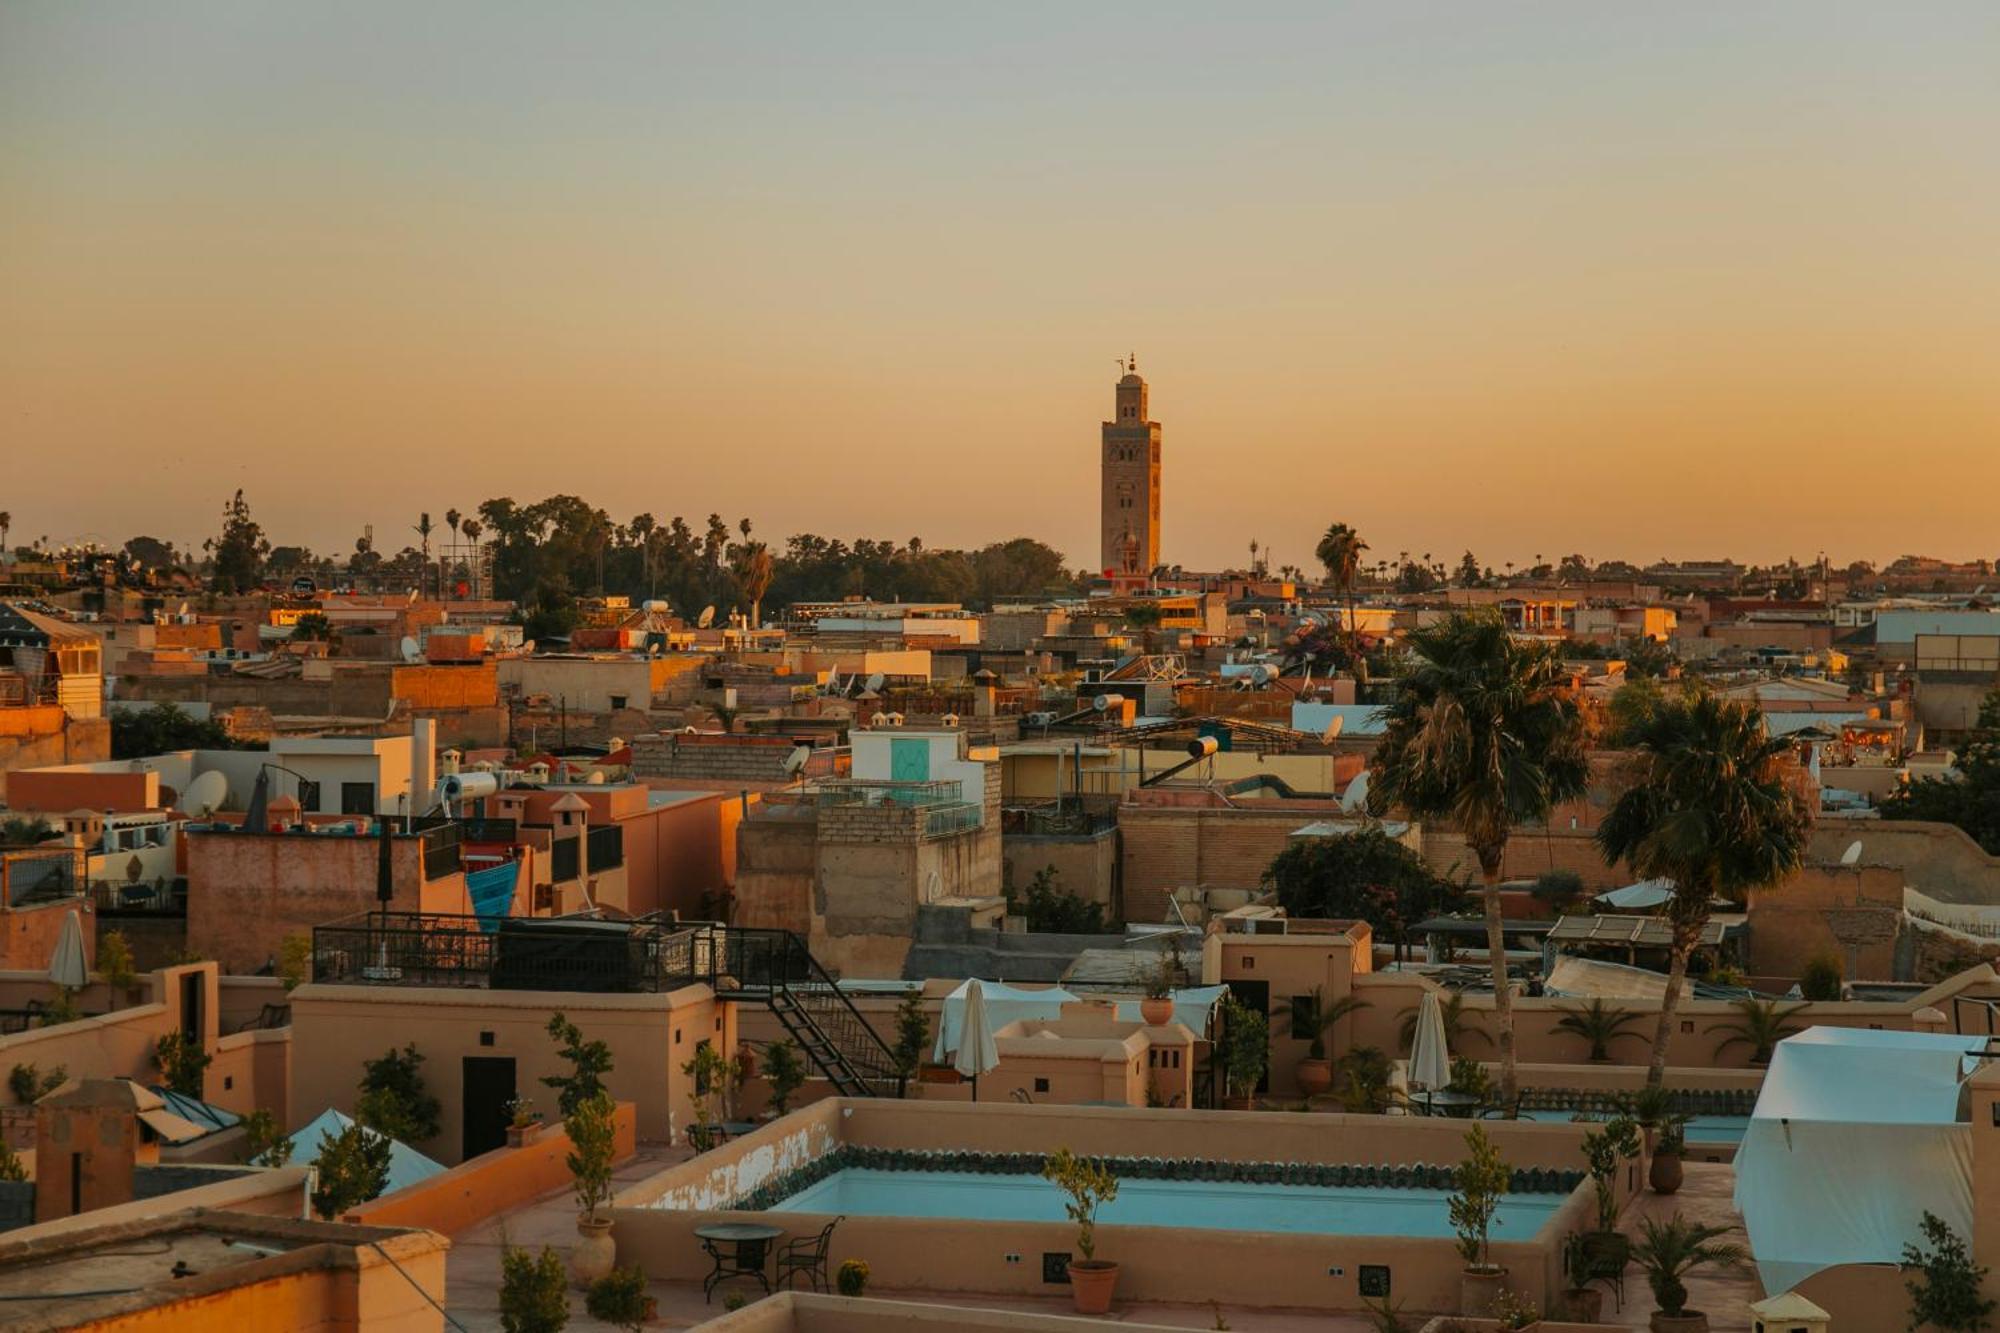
(1487, 734)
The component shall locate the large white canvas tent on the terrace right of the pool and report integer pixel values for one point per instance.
(1853, 1140)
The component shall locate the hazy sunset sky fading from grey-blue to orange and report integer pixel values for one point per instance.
(1525, 279)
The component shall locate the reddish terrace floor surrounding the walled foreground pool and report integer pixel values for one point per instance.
(473, 1274)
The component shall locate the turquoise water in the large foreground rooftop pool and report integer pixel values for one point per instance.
(1221, 1206)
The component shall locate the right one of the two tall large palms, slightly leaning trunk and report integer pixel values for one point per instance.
(1709, 812)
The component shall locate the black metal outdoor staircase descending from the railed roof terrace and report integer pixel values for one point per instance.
(777, 968)
